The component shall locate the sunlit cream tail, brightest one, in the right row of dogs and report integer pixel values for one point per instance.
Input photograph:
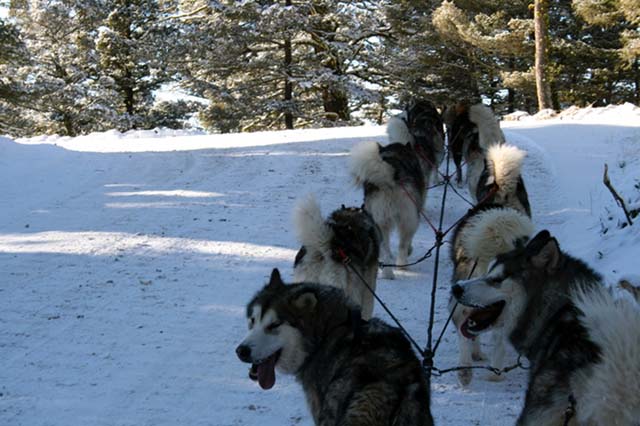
(505, 163)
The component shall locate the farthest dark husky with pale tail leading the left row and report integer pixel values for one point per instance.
(421, 126)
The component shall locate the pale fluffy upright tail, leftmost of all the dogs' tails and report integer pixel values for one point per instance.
(311, 228)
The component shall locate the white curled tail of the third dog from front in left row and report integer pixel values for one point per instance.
(368, 166)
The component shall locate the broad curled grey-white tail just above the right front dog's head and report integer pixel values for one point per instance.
(493, 232)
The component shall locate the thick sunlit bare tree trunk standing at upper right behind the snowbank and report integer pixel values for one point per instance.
(540, 21)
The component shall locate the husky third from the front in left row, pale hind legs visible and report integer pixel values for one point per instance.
(394, 193)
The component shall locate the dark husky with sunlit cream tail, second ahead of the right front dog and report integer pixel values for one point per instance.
(501, 180)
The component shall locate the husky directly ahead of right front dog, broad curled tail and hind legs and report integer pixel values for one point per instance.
(487, 231)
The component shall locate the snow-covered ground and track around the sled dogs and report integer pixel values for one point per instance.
(126, 262)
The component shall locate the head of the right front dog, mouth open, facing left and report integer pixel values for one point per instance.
(510, 279)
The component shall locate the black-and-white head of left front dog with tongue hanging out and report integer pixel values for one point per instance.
(286, 323)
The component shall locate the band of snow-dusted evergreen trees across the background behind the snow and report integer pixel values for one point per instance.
(71, 67)
